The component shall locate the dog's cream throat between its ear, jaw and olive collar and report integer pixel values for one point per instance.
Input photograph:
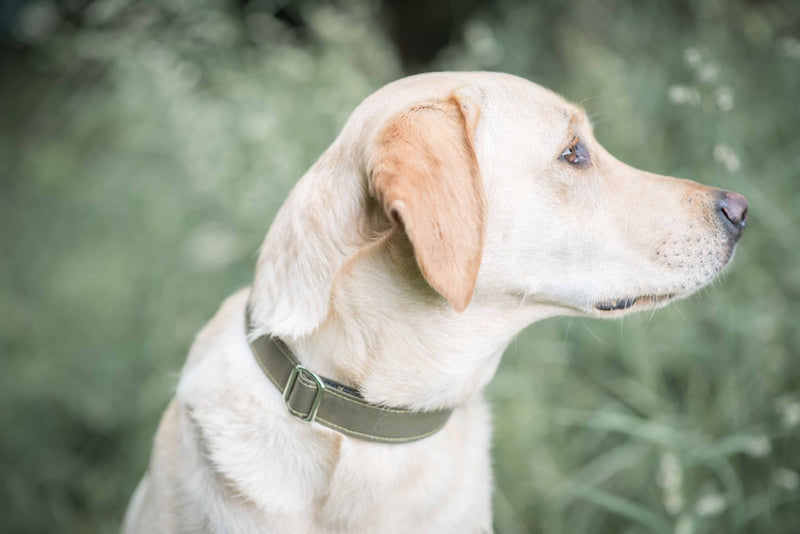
(389, 335)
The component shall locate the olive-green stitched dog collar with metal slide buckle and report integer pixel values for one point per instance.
(315, 398)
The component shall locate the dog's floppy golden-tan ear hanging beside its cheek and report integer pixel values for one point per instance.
(425, 173)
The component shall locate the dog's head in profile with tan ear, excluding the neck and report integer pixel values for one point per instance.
(504, 193)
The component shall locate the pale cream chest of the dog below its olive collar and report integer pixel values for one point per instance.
(292, 473)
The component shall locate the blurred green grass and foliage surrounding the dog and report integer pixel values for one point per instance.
(145, 147)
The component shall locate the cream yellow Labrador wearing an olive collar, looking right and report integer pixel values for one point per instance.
(453, 210)
